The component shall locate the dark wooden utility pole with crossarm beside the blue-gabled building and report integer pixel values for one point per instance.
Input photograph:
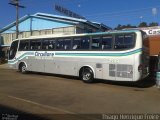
(17, 5)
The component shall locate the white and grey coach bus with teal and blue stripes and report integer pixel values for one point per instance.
(116, 55)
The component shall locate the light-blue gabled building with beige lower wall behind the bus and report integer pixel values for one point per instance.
(42, 24)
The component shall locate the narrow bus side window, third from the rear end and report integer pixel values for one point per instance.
(96, 43)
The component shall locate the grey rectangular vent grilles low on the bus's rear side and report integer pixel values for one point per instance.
(121, 70)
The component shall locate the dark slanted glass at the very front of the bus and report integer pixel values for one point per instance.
(13, 50)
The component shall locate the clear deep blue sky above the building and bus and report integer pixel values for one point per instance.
(108, 12)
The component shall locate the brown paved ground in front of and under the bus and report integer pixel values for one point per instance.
(49, 95)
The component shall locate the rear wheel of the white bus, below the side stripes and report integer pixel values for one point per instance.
(86, 75)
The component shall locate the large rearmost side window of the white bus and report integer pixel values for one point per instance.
(124, 41)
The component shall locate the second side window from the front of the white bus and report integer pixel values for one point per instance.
(35, 44)
